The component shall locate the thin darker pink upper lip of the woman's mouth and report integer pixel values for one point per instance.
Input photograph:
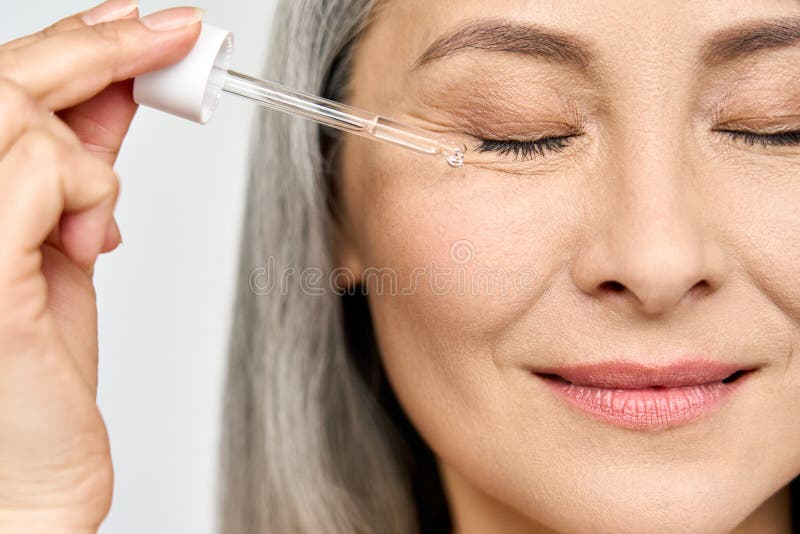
(634, 375)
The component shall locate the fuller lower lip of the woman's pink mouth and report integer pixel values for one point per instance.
(645, 408)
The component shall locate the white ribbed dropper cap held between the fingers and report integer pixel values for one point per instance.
(191, 87)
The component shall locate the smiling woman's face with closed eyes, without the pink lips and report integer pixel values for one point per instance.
(648, 231)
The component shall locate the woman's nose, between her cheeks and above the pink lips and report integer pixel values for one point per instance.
(648, 247)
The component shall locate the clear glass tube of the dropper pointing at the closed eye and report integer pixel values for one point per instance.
(340, 116)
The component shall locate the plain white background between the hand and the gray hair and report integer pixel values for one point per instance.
(165, 295)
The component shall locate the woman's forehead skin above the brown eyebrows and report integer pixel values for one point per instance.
(621, 31)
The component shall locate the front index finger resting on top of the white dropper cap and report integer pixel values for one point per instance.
(71, 67)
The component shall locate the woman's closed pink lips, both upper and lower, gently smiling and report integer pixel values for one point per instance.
(638, 396)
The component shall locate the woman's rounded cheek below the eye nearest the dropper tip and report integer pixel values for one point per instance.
(466, 249)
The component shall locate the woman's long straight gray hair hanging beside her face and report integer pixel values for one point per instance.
(307, 443)
